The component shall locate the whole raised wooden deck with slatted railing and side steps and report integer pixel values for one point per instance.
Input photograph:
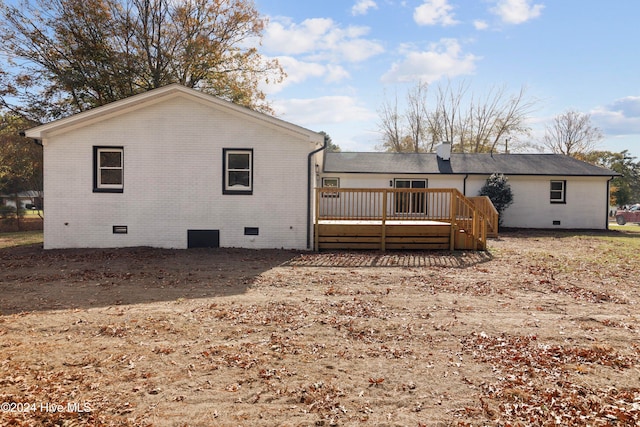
(410, 219)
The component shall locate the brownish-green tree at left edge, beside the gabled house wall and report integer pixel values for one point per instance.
(20, 161)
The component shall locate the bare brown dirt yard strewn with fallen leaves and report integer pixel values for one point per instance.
(540, 330)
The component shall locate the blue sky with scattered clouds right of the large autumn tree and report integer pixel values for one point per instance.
(343, 57)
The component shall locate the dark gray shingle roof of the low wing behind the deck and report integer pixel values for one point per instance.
(473, 164)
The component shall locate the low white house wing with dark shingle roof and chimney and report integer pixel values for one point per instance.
(549, 190)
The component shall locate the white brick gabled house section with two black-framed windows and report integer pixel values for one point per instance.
(176, 168)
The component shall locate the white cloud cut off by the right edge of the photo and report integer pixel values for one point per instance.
(622, 117)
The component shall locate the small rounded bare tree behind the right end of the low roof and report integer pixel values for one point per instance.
(572, 134)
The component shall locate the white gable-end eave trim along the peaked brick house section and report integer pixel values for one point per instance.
(165, 94)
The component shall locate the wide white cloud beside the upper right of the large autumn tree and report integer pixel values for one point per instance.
(319, 39)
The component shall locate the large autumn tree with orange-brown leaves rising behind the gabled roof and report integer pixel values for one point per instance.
(72, 55)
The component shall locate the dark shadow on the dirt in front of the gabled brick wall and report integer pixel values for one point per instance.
(32, 279)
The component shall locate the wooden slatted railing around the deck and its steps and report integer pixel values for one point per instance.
(403, 204)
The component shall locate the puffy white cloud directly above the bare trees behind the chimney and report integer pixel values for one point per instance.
(444, 58)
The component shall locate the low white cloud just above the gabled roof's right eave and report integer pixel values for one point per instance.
(318, 113)
